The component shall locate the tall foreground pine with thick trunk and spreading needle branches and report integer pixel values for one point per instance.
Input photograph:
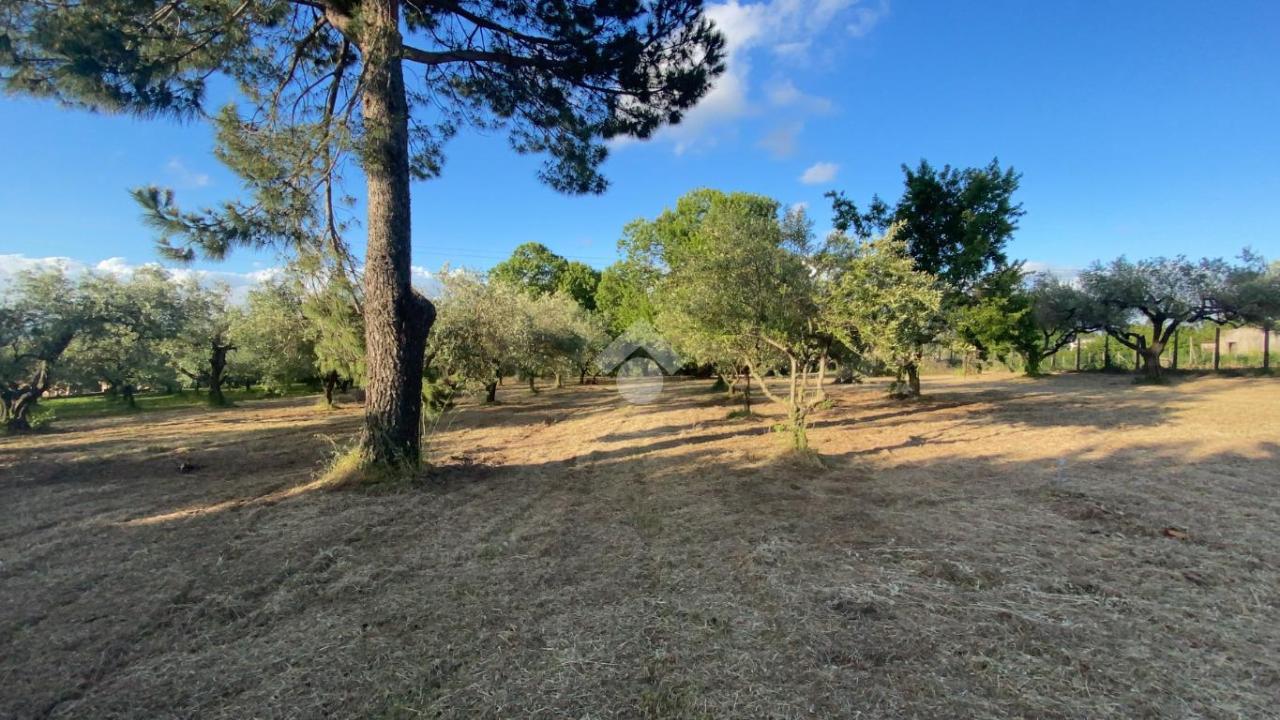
(378, 85)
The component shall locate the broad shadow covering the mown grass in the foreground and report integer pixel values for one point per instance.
(760, 584)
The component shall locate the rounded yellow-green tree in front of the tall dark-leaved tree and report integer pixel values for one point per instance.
(884, 304)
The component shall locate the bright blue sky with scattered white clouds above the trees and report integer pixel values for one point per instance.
(1140, 127)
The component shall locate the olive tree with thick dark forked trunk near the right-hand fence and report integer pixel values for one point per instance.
(1165, 294)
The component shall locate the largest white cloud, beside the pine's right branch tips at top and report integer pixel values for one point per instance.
(788, 29)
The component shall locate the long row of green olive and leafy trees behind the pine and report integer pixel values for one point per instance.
(738, 284)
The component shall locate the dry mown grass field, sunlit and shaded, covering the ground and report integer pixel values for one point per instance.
(1067, 548)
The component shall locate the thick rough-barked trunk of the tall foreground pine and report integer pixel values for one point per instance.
(396, 320)
